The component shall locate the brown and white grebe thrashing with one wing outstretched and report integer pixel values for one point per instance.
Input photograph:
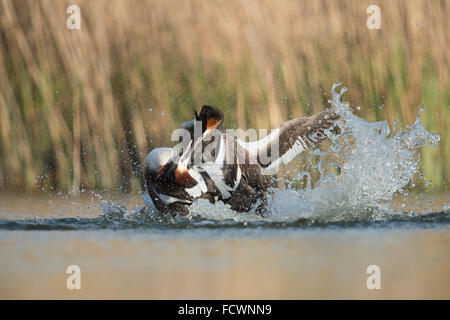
(242, 183)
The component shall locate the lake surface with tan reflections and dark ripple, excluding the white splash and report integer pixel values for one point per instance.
(164, 258)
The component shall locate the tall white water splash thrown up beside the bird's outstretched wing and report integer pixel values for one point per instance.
(374, 163)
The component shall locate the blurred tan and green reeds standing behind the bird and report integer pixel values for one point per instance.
(82, 108)
